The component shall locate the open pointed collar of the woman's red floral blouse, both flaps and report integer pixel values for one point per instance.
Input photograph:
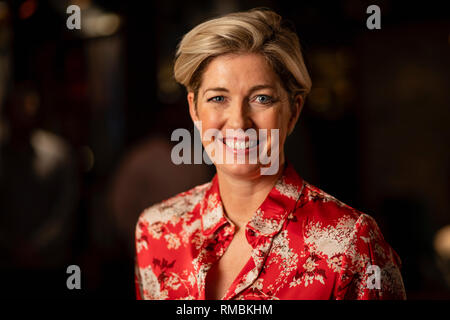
(268, 218)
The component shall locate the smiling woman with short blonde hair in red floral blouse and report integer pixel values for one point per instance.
(248, 235)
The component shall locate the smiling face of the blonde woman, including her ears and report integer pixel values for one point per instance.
(241, 91)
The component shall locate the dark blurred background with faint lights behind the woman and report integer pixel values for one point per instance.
(86, 118)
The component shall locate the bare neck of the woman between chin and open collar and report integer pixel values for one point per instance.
(241, 197)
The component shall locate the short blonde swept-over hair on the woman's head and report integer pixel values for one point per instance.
(255, 31)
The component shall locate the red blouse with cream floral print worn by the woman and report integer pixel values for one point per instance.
(306, 245)
